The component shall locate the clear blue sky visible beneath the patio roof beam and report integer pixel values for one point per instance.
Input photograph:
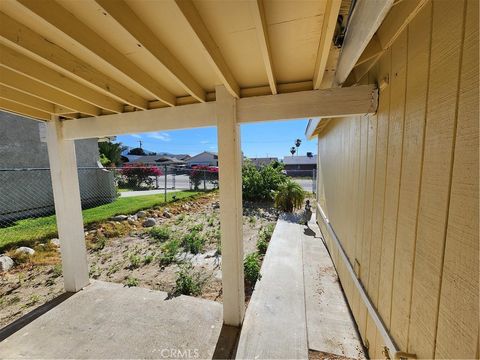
(272, 139)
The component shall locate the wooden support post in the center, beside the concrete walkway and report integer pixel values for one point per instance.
(230, 181)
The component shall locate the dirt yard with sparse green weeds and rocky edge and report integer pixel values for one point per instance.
(181, 253)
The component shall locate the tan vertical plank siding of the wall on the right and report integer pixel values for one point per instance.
(402, 188)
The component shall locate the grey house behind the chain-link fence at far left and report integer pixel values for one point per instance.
(27, 190)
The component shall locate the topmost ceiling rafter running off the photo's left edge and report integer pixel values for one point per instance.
(24, 39)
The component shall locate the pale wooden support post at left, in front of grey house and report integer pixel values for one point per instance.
(66, 193)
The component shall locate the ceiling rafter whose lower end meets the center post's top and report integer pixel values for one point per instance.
(197, 26)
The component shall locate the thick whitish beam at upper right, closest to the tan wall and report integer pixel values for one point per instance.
(366, 18)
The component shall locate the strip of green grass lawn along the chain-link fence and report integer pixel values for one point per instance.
(26, 232)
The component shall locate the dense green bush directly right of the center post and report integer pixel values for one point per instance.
(260, 184)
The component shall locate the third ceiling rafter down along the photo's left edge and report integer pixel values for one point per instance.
(32, 87)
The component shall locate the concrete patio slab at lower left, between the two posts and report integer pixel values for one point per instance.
(107, 321)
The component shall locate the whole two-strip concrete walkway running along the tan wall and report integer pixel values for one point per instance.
(298, 304)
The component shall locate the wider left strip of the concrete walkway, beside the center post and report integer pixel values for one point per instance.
(275, 325)
